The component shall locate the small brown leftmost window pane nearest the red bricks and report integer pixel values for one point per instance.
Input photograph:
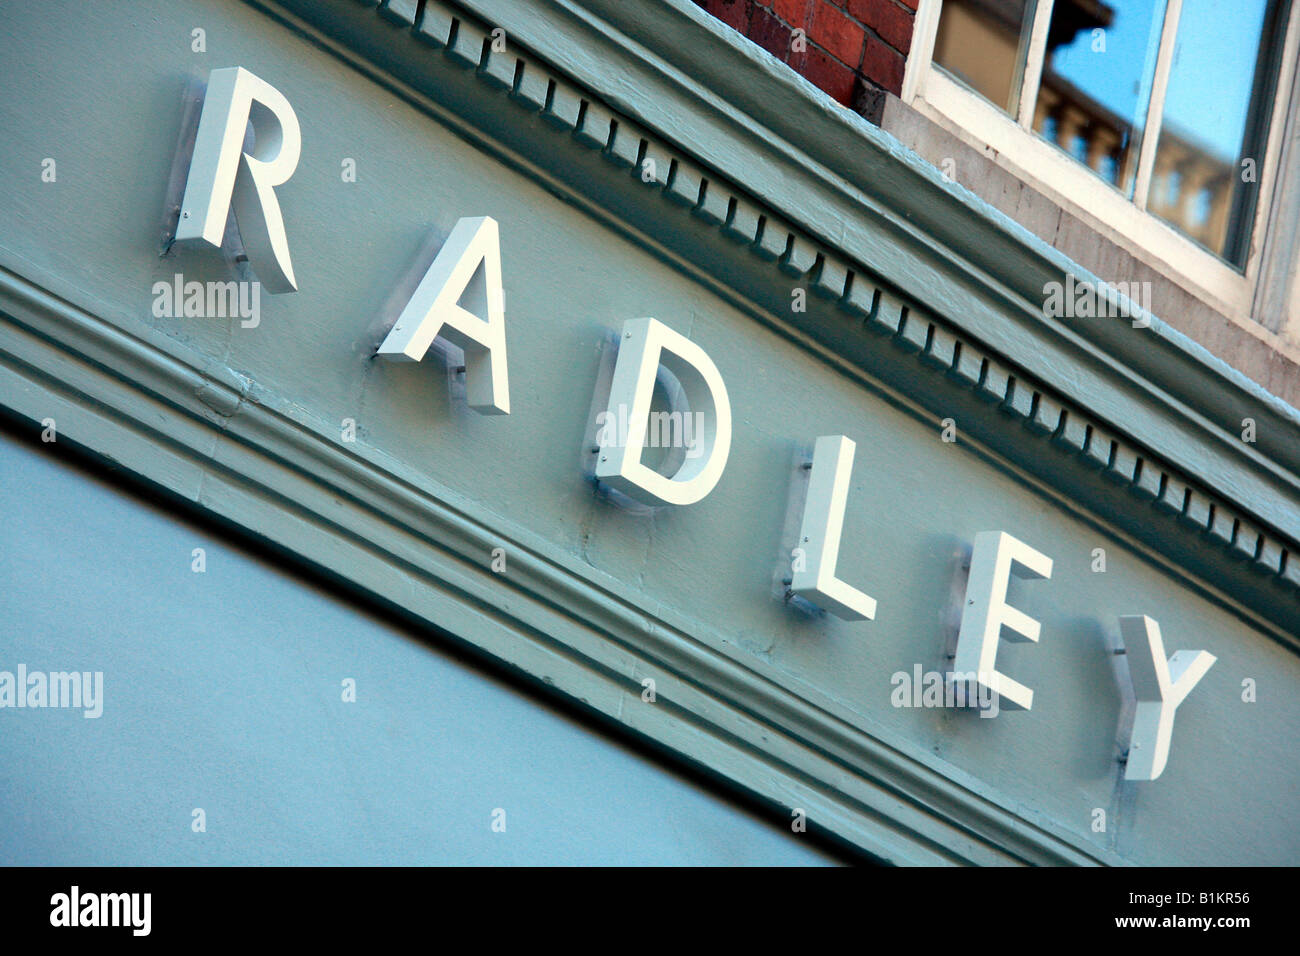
(983, 44)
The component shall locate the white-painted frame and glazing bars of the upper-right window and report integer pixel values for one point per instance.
(1013, 145)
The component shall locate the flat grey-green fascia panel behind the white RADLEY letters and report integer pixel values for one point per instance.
(915, 507)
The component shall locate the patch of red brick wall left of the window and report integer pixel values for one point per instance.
(853, 50)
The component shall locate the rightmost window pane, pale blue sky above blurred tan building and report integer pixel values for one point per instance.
(1216, 116)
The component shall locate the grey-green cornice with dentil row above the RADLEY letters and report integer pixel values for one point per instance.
(762, 184)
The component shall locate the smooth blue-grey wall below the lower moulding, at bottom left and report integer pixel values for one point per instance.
(223, 691)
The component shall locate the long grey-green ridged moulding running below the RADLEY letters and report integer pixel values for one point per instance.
(216, 442)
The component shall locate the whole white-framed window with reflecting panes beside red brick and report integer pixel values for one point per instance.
(1155, 118)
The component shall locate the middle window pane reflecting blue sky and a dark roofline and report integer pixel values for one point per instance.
(1097, 83)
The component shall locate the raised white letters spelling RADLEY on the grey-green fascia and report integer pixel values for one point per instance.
(223, 178)
